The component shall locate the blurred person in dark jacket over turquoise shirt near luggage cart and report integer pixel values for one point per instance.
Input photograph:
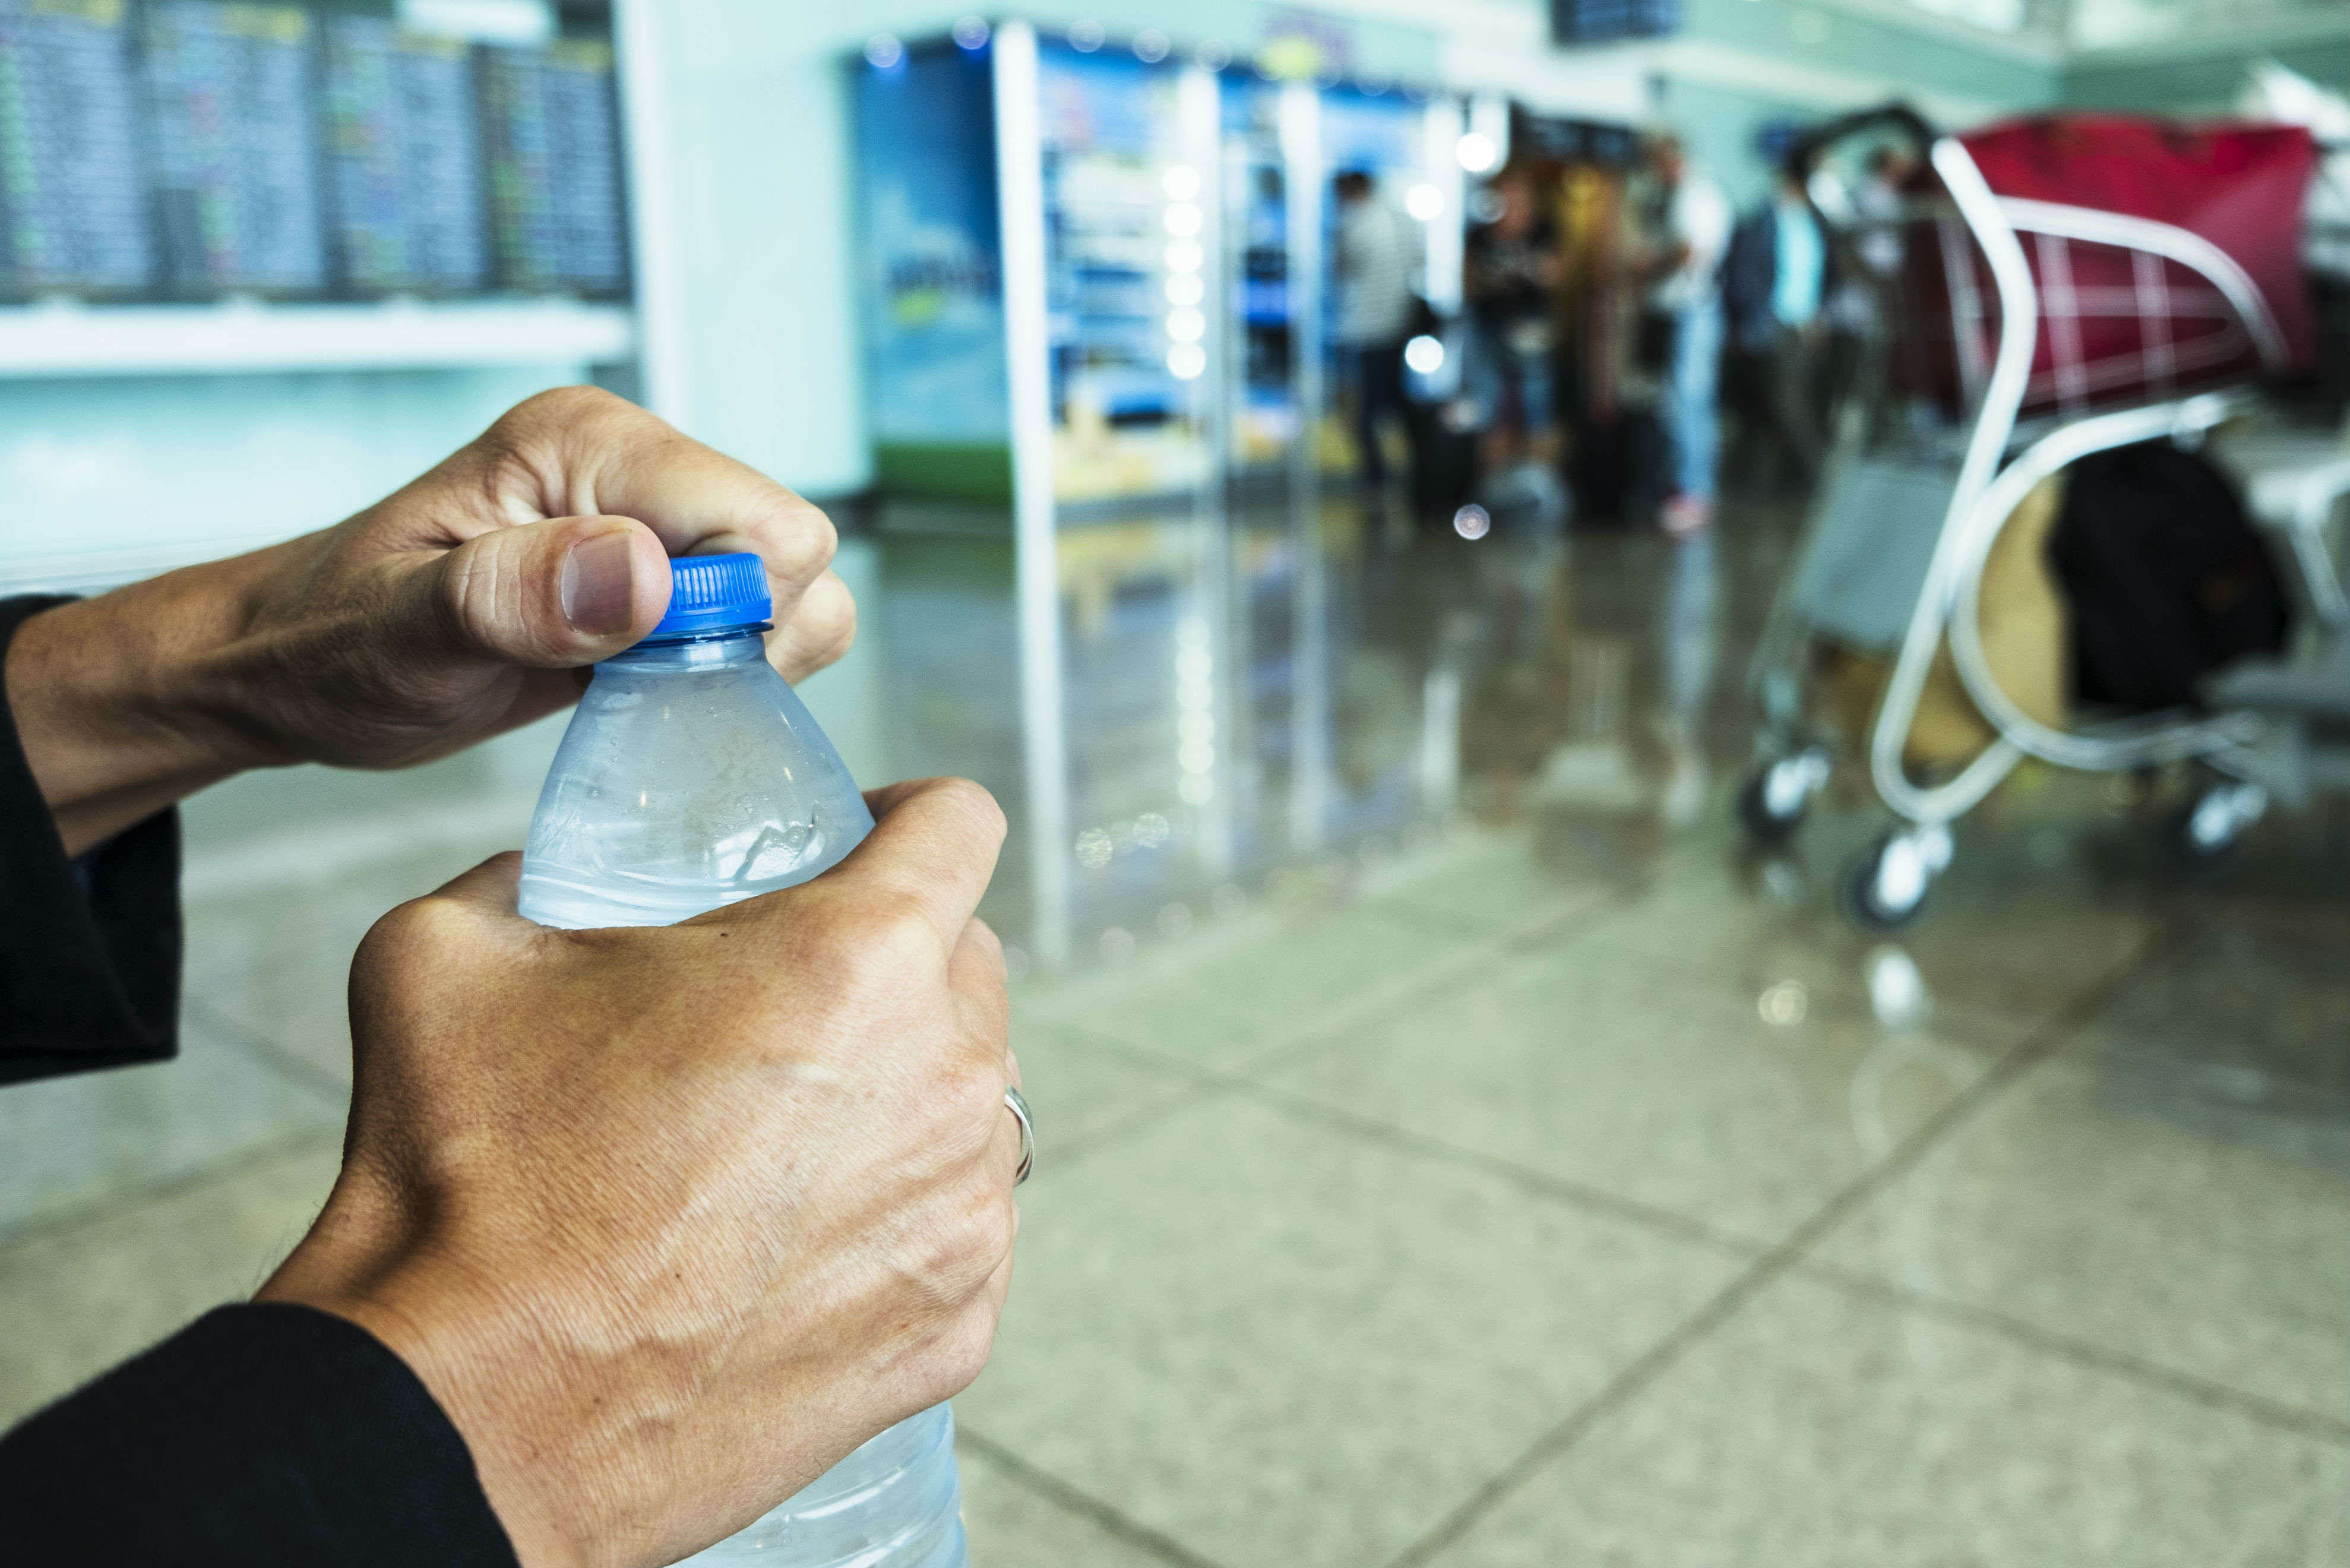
(1775, 281)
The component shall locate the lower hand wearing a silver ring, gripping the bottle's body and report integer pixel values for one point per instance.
(673, 1219)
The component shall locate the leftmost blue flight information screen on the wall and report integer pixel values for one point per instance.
(72, 185)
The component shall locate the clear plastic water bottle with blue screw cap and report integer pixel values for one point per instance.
(694, 777)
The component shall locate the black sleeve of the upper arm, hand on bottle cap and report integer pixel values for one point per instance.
(88, 949)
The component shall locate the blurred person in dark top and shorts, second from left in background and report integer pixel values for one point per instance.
(1512, 276)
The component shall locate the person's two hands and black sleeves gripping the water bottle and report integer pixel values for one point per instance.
(638, 1231)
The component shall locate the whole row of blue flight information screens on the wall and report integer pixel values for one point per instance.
(187, 149)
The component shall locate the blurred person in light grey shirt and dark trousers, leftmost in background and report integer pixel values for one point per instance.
(1378, 250)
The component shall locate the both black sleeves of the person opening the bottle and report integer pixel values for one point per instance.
(262, 1438)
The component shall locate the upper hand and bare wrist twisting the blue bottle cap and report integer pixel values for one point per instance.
(450, 612)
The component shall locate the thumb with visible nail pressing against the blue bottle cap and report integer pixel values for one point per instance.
(556, 594)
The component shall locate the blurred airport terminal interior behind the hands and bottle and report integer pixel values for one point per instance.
(1583, 1003)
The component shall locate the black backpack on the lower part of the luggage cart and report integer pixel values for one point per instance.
(2163, 572)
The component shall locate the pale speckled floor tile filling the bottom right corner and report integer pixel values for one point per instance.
(1827, 1430)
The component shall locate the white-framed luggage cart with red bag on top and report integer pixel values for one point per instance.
(2064, 286)
